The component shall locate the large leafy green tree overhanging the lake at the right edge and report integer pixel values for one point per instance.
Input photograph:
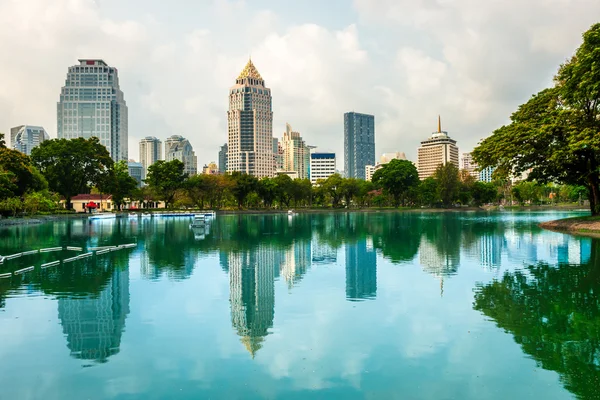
(556, 134)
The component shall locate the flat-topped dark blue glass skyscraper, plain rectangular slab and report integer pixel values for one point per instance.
(359, 143)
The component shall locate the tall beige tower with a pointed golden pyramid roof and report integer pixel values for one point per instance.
(250, 125)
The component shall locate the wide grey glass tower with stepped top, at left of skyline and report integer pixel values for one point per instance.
(92, 104)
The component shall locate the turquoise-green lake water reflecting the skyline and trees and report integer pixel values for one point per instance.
(322, 306)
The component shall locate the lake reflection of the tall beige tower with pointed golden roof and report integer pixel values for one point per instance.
(252, 294)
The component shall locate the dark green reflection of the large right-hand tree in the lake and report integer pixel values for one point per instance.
(554, 315)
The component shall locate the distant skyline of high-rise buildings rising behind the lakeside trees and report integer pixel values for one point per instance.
(91, 104)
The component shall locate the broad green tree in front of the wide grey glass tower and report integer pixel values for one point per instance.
(71, 166)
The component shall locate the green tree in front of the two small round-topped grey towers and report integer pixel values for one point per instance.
(165, 178)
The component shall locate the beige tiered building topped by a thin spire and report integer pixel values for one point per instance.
(438, 150)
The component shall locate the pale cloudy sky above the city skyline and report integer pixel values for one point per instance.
(405, 61)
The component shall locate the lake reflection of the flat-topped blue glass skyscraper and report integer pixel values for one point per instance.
(361, 270)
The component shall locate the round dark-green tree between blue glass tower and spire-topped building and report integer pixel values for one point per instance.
(396, 178)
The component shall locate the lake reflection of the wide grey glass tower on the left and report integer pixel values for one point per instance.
(93, 324)
